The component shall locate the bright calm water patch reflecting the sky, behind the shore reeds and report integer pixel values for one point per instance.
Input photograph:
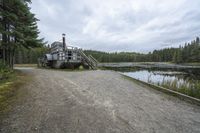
(163, 77)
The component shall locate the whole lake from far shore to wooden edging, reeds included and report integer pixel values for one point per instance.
(185, 79)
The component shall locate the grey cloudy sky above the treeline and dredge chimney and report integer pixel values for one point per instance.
(119, 25)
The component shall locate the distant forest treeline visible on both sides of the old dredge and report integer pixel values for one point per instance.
(190, 52)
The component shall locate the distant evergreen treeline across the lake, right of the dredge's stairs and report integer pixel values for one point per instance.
(190, 52)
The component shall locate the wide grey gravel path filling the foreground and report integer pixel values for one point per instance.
(97, 102)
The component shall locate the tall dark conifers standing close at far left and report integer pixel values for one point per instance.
(18, 29)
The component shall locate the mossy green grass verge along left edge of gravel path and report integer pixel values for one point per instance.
(9, 89)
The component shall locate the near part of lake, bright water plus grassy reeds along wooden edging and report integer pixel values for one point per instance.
(186, 83)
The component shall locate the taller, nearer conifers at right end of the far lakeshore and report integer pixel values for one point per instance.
(190, 52)
